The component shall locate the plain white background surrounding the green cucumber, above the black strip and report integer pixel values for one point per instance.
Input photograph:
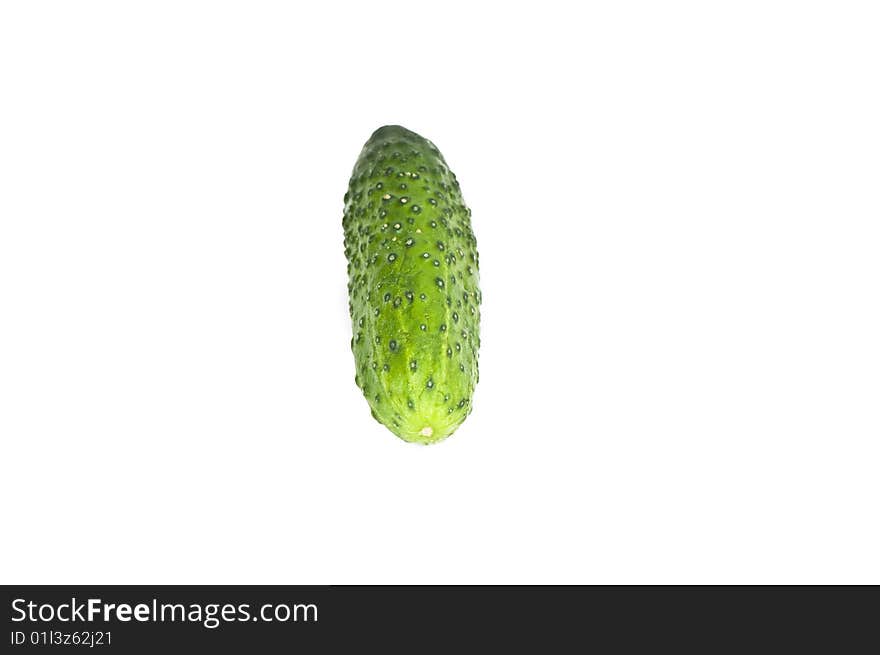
(677, 212)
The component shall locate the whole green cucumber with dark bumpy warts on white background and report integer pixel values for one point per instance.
(414, 294)
